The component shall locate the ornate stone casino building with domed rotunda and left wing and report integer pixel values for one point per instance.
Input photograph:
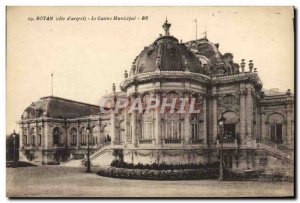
(257, 128)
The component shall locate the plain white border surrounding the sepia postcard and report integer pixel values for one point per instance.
(5, 3)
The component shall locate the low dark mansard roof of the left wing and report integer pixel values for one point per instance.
(56, 107)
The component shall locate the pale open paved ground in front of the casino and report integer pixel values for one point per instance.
(58, 181)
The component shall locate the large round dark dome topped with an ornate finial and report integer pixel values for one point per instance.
(166, 54)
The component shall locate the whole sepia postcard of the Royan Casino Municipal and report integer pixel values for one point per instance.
(150, 102)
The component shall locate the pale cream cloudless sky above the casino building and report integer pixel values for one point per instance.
(86, 57)
